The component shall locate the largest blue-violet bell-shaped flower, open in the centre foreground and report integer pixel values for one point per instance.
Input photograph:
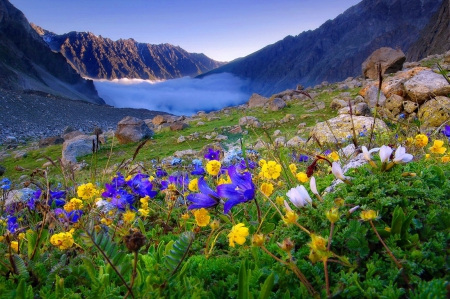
(240, 190)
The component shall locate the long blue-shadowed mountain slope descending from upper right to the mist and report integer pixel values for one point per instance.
(336, 49)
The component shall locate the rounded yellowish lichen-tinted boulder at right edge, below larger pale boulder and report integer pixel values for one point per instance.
(435, 112)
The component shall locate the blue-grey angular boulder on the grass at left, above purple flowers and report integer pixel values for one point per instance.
(77, 147)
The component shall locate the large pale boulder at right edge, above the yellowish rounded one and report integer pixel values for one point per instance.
(426, 84)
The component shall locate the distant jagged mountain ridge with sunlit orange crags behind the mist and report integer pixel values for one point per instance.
(101, 58)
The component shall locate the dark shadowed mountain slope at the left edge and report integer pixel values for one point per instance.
(27, 63)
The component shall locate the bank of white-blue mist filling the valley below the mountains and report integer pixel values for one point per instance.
(183, 96)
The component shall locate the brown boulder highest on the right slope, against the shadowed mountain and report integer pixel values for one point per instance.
(391, 61)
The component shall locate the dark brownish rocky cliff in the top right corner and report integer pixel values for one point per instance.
(435, 37)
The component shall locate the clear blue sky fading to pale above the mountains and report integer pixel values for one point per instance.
(221, 29)
